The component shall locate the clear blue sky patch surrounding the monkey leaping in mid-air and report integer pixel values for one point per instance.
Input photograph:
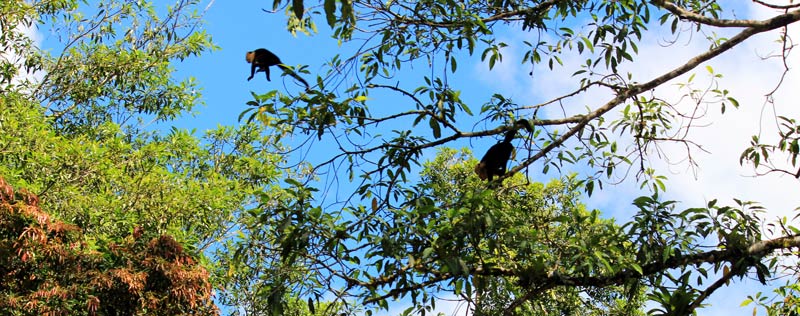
(237, 27)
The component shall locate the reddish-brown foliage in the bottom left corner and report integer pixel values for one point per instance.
(50, 267)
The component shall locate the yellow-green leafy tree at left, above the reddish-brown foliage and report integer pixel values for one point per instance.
(77, 136)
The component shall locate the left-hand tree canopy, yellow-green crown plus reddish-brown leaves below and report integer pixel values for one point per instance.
(75, 131)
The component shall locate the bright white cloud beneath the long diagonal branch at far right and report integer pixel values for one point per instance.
(720, 175)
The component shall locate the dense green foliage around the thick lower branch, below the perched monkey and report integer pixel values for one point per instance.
(523, 248)
